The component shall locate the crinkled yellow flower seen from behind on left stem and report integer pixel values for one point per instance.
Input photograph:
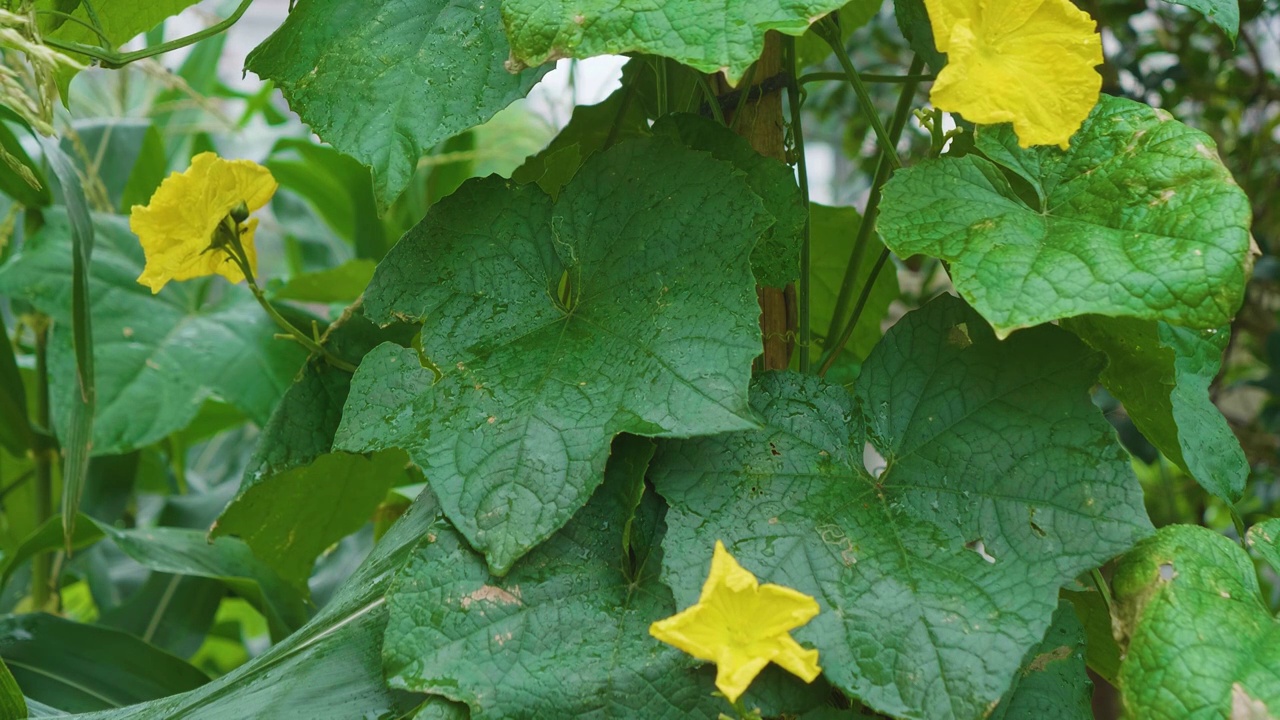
(177, 229)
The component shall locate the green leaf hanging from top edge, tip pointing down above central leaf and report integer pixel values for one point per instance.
(387, 89)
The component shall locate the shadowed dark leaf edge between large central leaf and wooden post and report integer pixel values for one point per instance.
(776, 259)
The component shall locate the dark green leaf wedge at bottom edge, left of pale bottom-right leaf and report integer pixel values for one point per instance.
(1053, 685)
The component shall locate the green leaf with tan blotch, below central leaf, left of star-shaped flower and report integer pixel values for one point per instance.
(566, 634)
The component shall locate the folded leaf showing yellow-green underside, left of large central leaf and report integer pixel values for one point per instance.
(296, 499)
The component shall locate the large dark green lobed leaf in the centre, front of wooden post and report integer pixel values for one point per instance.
(628, 306)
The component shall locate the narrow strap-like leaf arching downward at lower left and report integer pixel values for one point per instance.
(228, 560)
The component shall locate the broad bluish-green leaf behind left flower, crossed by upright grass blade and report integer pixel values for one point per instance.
(157, 358)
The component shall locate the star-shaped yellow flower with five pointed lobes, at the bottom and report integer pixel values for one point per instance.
(742, 627)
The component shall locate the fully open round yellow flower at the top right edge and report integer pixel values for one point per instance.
(1025, 62)
